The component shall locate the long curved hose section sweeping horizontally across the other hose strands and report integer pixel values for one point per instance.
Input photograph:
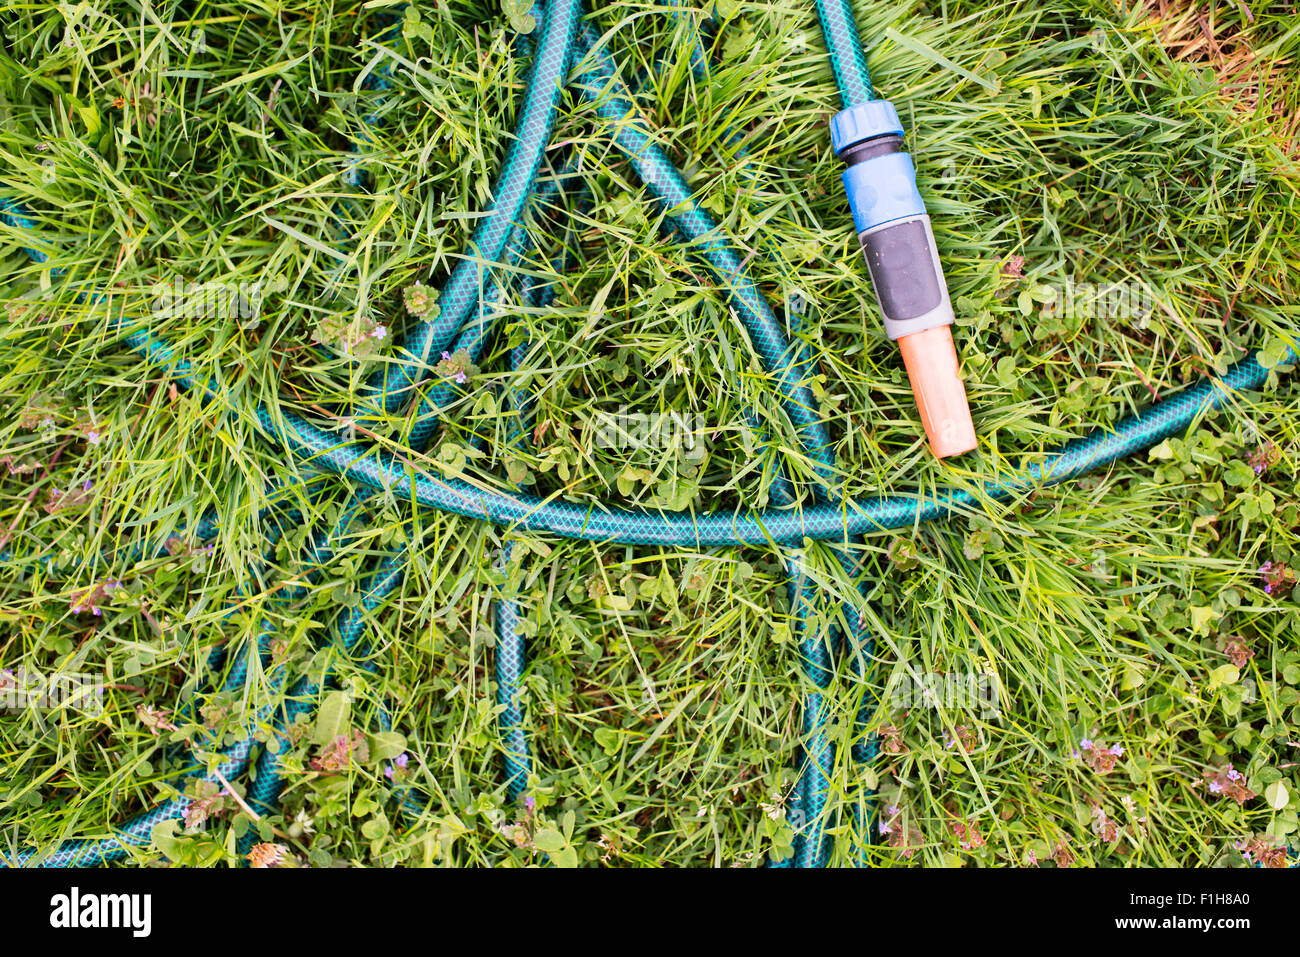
(609, 523)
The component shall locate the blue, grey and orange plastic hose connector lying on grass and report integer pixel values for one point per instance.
(899, 244)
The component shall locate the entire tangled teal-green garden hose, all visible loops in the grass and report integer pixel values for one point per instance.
(827, 518)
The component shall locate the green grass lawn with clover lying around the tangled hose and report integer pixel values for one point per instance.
(206, 141)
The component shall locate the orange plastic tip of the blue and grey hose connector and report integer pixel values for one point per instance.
(931, 361)
